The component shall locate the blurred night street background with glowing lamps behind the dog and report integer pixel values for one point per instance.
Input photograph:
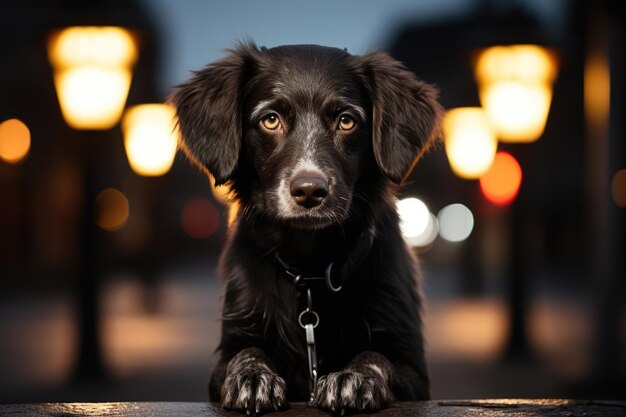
(108, 239)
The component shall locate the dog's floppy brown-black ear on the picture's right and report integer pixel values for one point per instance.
(406, 116)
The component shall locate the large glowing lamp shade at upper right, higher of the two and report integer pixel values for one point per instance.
(515, 89)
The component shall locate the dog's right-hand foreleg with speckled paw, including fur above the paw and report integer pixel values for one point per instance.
(363, 386)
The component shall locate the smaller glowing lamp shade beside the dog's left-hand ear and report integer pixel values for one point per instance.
(150, 138)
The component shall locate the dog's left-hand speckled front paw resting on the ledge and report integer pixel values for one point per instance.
(254, 391)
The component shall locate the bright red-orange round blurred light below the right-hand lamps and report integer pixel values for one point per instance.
(501, 183)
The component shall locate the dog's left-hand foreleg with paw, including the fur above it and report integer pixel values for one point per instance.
(252, 385)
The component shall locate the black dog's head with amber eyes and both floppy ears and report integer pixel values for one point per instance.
(293, 128)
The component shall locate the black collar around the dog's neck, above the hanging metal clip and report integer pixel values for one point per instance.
(337, 272)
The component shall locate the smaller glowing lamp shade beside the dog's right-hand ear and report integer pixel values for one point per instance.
(470, 141)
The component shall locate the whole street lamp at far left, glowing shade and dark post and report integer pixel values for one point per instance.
(92, 72)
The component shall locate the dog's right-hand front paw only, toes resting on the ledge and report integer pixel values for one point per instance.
(351, 391)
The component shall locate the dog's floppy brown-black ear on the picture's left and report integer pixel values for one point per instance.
(208, 107)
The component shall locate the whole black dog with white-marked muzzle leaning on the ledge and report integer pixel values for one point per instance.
(313, 142)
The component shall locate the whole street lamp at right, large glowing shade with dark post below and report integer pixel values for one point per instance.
(515, 89)
